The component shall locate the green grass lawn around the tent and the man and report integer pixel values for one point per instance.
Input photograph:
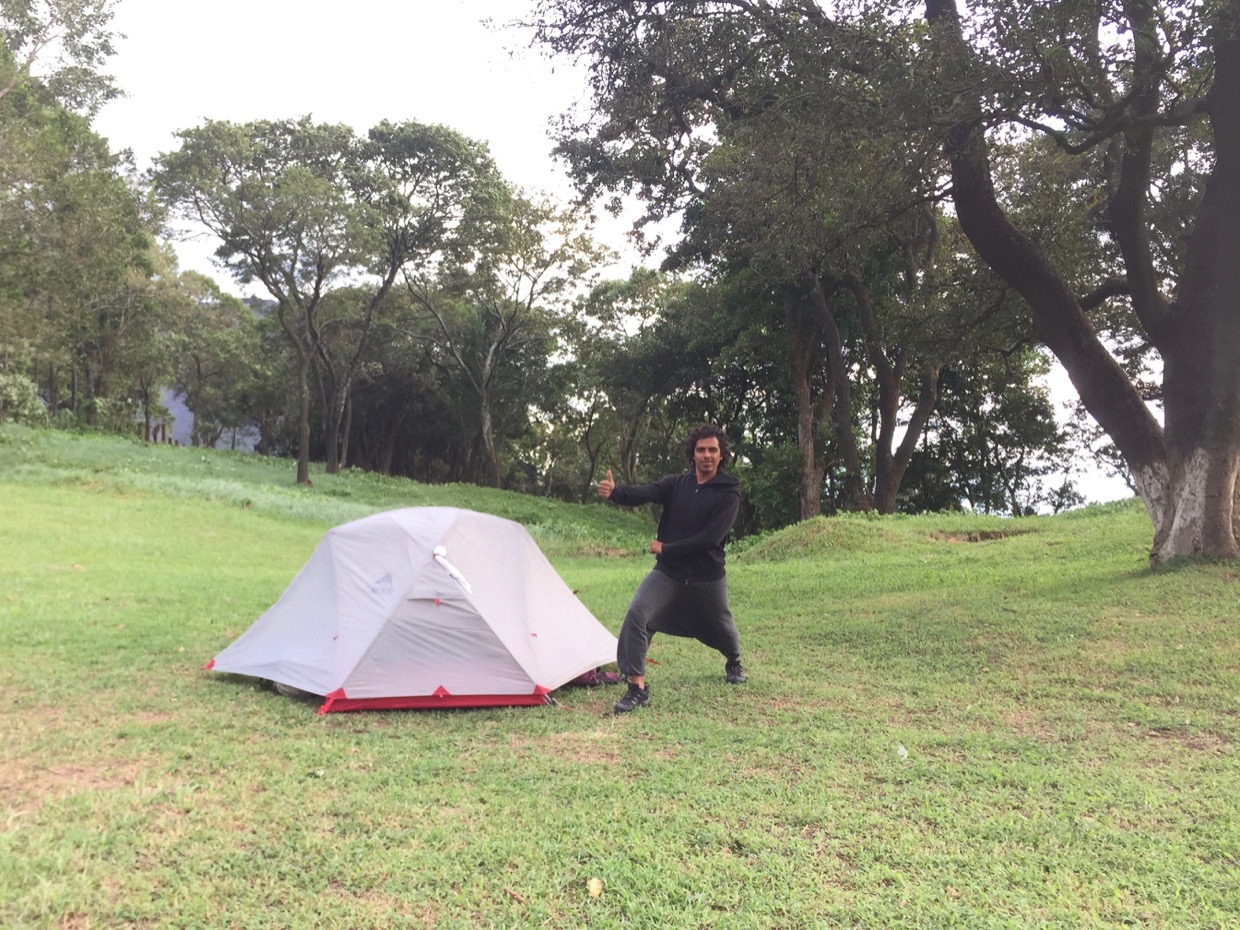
(1069, 719)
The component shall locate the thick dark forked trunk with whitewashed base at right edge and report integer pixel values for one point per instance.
(1186, 476)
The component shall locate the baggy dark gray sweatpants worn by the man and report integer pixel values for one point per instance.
(662, 604)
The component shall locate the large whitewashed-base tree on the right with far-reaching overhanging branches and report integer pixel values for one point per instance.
(1144, 96)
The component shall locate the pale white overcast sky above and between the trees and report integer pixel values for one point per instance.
(454, 63)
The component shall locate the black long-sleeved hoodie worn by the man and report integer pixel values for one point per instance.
(695, 524)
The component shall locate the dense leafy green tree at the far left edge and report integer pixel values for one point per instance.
(76, 254)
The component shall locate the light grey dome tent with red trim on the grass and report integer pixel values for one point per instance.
(423, 608)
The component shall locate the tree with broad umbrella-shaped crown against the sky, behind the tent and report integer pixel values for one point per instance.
(304, 208)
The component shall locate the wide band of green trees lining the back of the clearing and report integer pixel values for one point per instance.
(891, 219)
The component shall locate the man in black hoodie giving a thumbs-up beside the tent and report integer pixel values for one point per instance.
(688, 592)
